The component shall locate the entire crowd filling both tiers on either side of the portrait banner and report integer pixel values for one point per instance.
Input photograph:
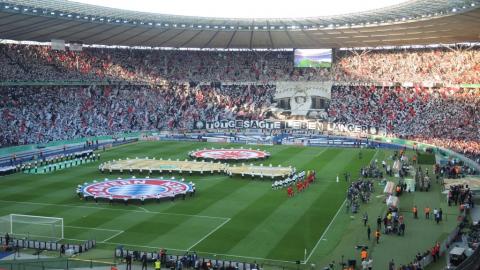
(173, 88)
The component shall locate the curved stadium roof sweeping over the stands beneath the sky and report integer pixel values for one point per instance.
(414, 22)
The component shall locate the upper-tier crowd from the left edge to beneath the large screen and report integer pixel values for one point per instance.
(32, 62)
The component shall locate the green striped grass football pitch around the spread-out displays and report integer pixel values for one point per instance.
(229, 217)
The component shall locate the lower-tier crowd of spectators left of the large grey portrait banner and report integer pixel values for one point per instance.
(43, 114)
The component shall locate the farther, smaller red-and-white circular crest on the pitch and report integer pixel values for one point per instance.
(229, 154)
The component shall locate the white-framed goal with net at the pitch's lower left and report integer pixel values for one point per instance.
(32, 227)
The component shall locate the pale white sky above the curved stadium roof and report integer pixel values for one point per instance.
(246, 8)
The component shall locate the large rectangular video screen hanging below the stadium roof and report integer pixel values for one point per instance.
(316, 58)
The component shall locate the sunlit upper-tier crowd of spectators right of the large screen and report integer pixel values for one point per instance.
(452, 65)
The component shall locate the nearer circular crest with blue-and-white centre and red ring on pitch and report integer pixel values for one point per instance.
(136, 188)
